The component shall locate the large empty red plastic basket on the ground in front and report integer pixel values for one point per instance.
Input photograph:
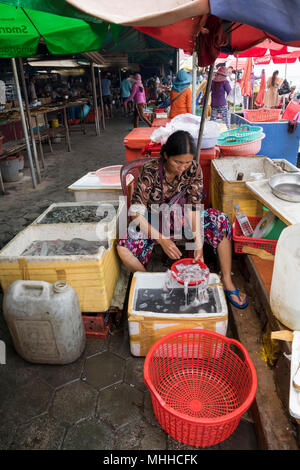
(201, 383)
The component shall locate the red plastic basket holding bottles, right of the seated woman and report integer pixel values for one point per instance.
(240, 240)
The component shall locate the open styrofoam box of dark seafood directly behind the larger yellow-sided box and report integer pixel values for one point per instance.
(116, 211)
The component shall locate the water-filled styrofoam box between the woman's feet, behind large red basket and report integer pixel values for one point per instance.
(146, 327)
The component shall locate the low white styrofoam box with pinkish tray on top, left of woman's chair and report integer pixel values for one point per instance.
(89, 188)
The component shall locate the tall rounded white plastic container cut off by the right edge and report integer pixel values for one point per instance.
(285, 292)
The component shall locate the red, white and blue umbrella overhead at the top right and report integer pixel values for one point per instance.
(222, 26)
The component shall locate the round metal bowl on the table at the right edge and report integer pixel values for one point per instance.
(286, 186)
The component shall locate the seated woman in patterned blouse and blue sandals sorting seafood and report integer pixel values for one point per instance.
(176, 178)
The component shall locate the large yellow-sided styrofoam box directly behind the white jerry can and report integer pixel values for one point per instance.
(93, 276)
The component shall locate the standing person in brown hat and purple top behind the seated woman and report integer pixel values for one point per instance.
(220, 88)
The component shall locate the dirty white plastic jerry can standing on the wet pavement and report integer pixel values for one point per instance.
(45, 321)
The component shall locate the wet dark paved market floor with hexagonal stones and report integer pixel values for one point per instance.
(100, 401)
